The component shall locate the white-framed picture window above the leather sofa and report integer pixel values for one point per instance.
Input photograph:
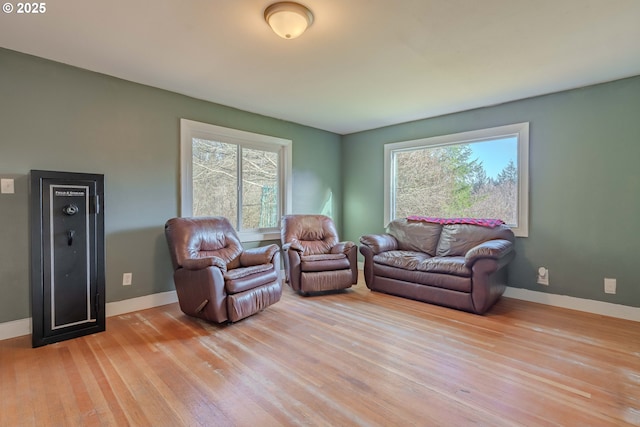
(482, 174)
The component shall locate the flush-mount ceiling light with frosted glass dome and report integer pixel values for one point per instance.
(288, 19)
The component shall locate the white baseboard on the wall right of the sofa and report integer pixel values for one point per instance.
(590, 306)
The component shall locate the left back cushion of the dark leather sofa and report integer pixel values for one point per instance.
(418, 236)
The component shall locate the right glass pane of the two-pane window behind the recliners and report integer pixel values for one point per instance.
(259, 189)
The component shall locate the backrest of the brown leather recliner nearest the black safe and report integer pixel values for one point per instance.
(202, 237)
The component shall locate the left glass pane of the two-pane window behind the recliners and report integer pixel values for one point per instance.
(215, 179)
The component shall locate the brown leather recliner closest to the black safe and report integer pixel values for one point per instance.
(215, 278)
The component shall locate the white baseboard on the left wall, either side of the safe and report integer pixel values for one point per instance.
(17, 328)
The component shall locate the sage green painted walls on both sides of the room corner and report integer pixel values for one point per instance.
(584, 179)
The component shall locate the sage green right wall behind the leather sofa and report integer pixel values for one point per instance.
(584, 185)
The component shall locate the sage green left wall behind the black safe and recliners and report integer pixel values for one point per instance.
(56, 117)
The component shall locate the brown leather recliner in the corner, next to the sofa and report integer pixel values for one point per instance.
(314, 258)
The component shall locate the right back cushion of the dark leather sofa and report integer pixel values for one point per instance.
(457, 239)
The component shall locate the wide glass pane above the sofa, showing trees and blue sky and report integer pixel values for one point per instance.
(476, 179)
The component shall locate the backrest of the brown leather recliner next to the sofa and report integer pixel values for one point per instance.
(317, 234)
